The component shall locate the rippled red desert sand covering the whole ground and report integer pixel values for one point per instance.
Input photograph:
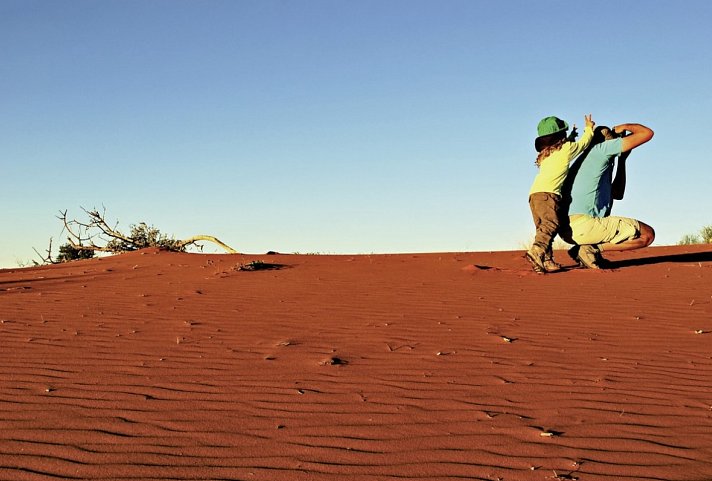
(155, 365)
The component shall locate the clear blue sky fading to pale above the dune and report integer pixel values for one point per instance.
(339, 126)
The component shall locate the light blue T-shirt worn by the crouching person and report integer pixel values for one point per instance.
(589, 180)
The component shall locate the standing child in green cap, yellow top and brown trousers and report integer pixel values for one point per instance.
(556, 151)
